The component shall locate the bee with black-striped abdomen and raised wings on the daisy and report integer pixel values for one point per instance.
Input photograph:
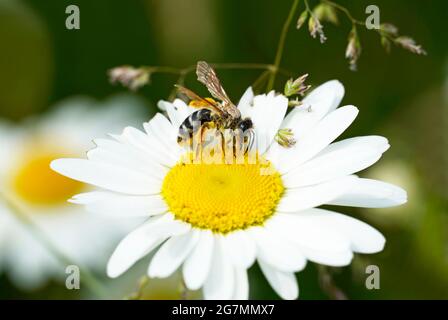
(212, 114)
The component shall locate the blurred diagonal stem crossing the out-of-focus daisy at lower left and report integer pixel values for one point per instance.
(93, 285)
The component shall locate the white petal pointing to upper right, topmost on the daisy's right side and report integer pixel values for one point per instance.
(316, 105)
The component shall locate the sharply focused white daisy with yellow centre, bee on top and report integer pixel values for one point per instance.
(215, 220)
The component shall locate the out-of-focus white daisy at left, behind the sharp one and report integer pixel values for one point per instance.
(27, 180)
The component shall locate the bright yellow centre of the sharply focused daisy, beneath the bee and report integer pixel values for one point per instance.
(222, 197)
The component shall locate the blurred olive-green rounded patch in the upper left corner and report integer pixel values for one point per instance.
(25, 61)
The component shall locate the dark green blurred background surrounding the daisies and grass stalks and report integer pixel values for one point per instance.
(400, 95)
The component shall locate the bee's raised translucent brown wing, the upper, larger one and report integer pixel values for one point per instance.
(208, 77)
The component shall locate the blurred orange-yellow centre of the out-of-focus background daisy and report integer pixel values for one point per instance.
(37, 184)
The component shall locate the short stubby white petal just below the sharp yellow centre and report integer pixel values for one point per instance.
(241, 248)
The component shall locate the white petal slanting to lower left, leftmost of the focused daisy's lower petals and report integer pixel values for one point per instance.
(141, 241)
